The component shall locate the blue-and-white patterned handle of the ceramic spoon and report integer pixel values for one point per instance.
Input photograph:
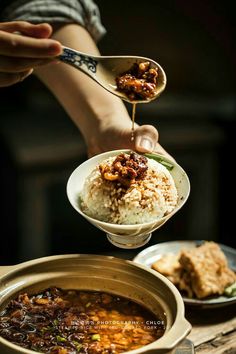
(80, 61)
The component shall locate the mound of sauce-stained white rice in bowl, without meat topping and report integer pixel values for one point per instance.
(144, 201)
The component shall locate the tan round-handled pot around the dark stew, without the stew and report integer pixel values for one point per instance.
(100, 273)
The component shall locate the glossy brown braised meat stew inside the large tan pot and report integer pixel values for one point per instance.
(58, 321)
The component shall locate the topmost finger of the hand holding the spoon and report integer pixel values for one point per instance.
(42, 30)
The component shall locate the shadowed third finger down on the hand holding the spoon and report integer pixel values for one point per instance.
(14, 65)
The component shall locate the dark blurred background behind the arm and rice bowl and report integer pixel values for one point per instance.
(195, 116)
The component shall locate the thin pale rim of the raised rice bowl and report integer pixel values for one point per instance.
(126, 226)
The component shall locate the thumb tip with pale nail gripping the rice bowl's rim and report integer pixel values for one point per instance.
(145, 138)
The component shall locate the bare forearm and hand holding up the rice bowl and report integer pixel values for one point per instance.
(101, 117)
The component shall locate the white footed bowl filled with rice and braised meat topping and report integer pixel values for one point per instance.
(128, 195)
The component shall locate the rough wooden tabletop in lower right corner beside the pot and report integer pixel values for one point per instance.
(214, 330)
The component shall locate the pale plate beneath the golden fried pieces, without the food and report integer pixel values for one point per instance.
(151, 254)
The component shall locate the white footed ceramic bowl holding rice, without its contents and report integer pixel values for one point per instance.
(125, 236)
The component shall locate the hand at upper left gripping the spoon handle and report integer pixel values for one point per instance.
(19, 54)
